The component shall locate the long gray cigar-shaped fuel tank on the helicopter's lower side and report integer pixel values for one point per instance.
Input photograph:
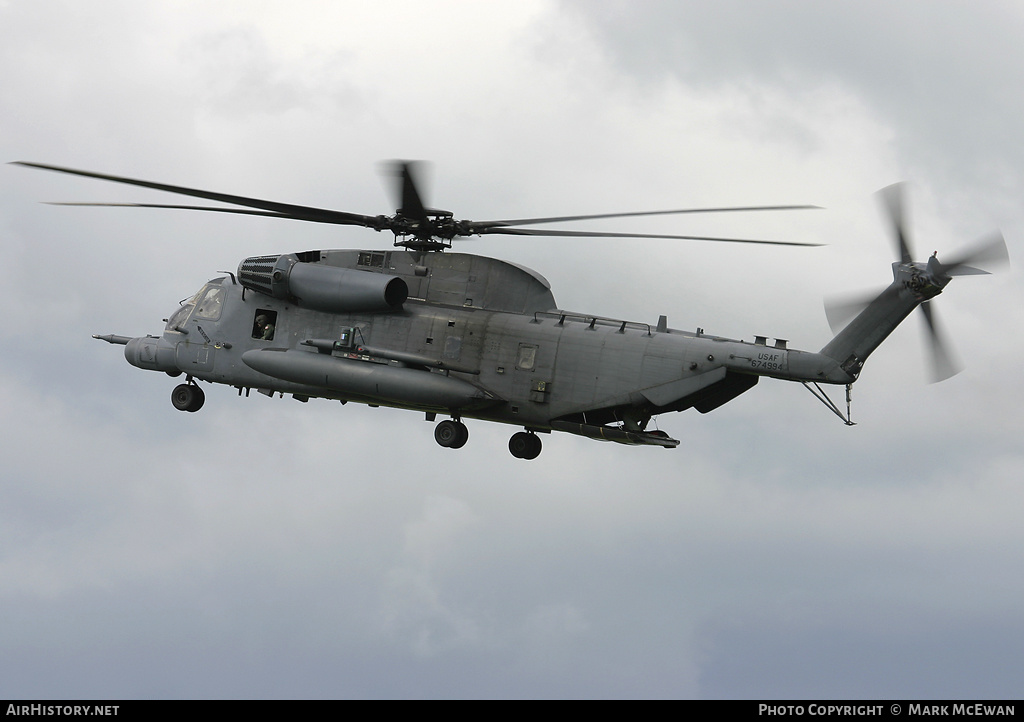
(386, 384)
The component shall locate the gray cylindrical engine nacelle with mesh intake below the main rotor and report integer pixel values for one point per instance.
(323, 288)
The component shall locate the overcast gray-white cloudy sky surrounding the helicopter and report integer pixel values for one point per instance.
(269, 548)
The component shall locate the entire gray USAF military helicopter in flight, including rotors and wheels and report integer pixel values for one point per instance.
(471, 337)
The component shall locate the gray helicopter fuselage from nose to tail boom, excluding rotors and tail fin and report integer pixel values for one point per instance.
(475, 337)
